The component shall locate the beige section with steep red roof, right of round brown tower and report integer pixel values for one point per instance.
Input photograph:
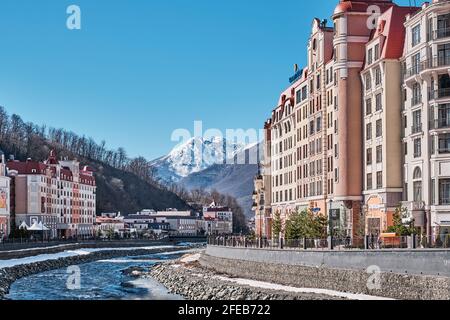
(382, 121)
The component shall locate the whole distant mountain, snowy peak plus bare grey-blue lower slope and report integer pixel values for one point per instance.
(200, 164)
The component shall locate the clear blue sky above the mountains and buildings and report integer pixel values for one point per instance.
(140, 69)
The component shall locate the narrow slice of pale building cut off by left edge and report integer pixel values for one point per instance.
(4, 199)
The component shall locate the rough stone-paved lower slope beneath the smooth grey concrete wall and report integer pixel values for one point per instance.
(383, 284)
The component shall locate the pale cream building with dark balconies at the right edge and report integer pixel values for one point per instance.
(426, 93)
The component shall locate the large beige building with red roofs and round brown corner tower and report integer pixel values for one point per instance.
(336, 132)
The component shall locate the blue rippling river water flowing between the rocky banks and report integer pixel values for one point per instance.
(100, 280)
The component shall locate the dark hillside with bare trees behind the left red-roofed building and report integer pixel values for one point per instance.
(124, 184)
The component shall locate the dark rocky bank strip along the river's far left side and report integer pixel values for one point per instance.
(11, 274)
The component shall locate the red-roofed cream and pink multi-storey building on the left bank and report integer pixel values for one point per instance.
(56, 193)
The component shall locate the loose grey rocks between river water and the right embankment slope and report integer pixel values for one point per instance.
(194, 282)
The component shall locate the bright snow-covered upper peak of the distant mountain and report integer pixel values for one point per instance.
(193, 156)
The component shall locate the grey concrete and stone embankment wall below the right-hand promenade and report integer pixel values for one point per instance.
(404, 274)
